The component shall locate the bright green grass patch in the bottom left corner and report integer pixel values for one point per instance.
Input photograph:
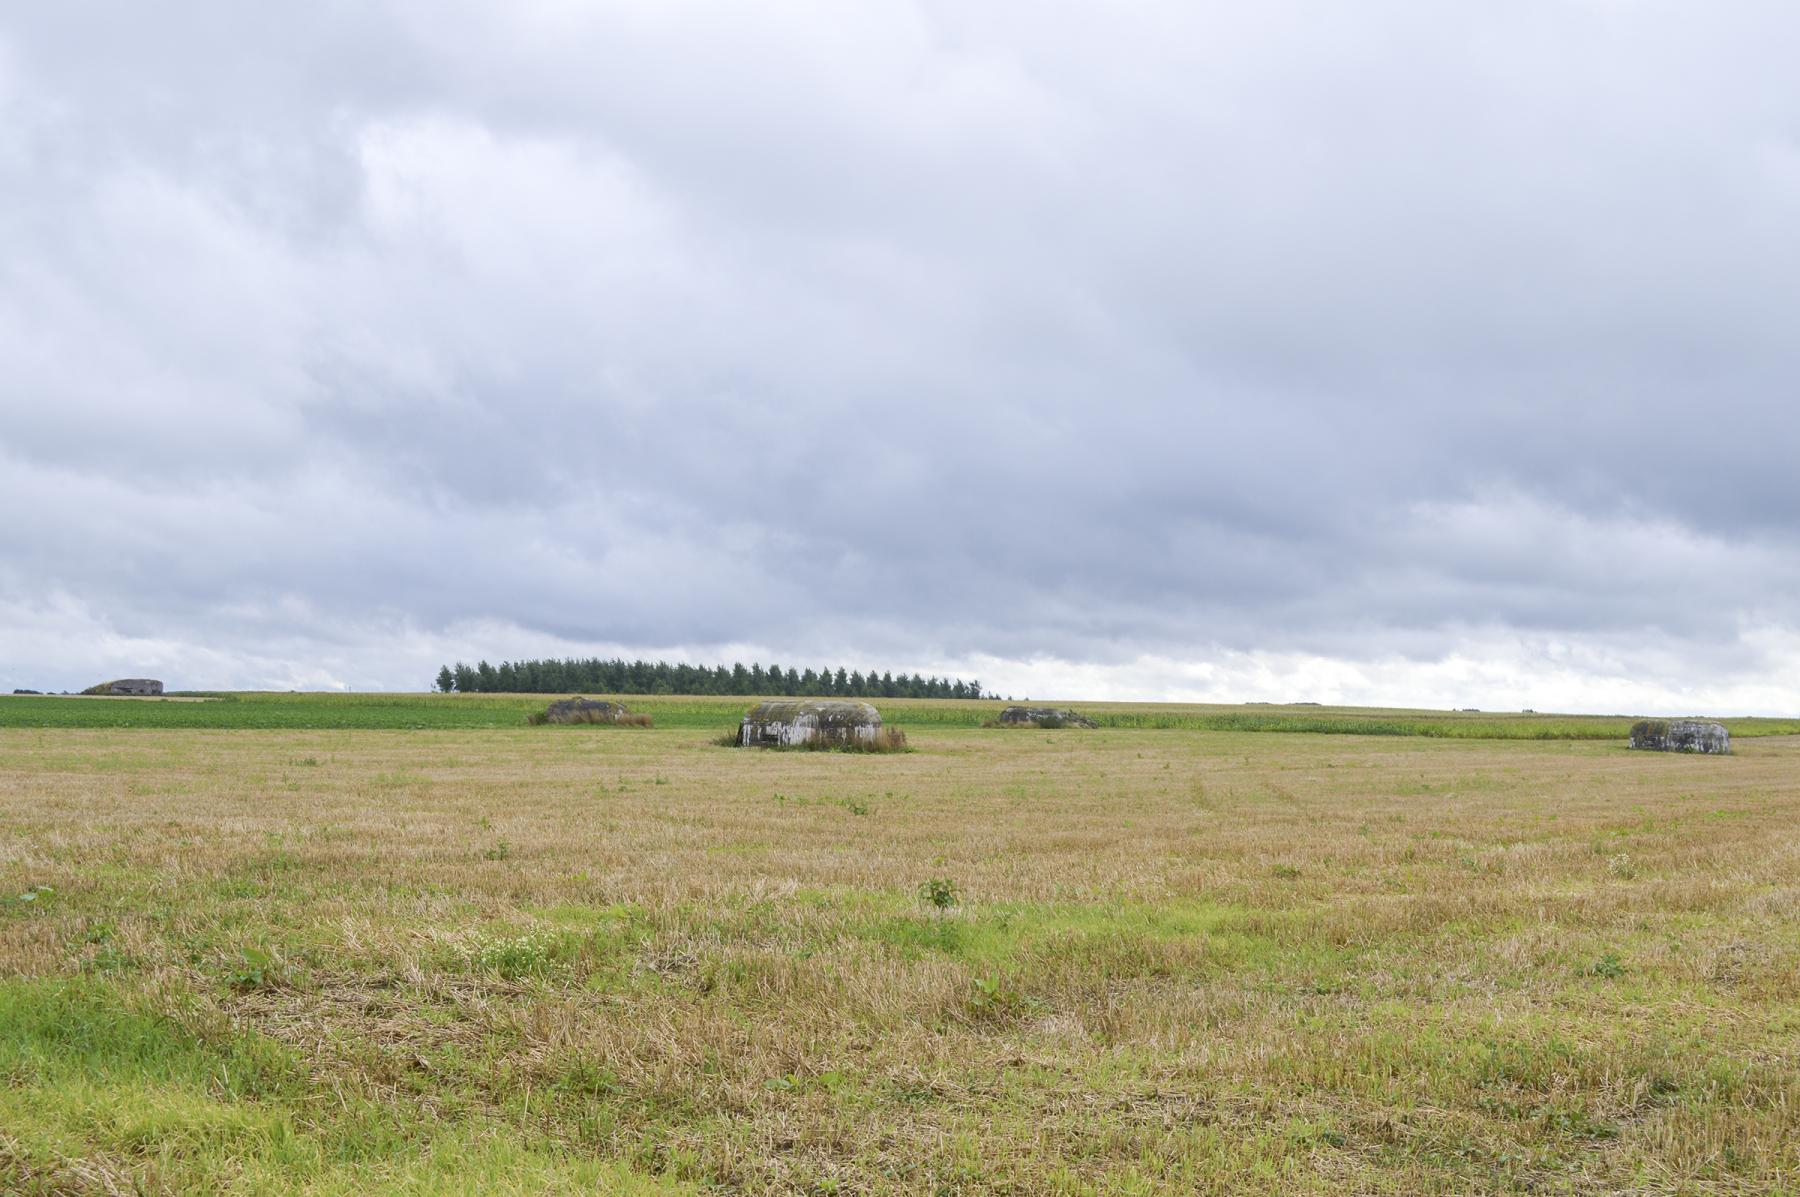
(105, 1092)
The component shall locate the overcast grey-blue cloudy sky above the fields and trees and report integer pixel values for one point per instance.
(1416, 354)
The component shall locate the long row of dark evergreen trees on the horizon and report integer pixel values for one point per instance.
(645, 678)
